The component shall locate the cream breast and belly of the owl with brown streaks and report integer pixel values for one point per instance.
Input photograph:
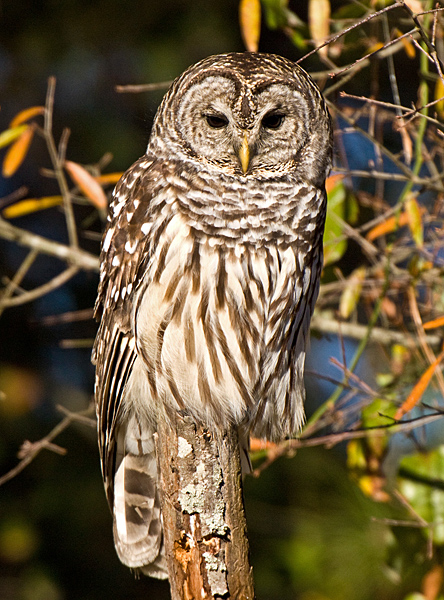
(222, 309)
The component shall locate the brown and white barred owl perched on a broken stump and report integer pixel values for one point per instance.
(210, 268)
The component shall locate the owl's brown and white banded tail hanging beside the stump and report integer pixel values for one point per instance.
(137, 519)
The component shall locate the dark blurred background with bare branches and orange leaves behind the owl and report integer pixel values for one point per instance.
(354, 509)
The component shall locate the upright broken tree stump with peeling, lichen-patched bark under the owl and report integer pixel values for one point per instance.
(203, 514)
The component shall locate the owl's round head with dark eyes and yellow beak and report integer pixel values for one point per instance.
(247, 115)
